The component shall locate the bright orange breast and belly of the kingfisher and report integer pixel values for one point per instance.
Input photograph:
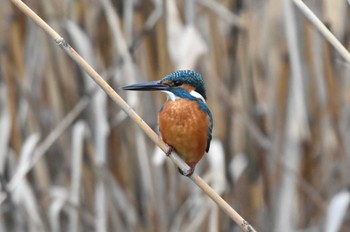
(184, 126)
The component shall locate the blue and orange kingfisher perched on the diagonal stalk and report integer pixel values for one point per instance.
(185, 121)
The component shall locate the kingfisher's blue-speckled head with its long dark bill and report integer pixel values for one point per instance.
(175, 84)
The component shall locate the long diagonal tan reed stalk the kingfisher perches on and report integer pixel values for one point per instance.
(245, 226)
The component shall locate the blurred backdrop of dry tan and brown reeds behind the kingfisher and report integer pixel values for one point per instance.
(278, 91)
